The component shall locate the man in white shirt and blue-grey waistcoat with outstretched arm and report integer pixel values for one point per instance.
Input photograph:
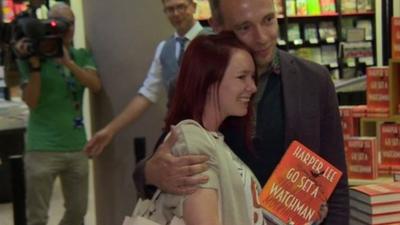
(163, 71)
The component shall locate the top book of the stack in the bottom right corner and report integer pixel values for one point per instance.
(376, 193)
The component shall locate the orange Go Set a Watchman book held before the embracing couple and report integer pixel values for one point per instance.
(300, 183)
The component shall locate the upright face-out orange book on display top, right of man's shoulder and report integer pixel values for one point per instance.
(377, 88)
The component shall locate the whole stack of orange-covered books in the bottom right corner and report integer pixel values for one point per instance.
(375, 204)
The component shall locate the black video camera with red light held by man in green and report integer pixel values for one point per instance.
(44, 37)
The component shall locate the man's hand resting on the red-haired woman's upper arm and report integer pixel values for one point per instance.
(172, 174)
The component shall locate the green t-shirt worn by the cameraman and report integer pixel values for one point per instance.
(52, 124)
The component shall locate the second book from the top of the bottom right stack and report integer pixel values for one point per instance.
(373, 209)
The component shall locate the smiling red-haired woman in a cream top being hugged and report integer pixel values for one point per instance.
(214, 89)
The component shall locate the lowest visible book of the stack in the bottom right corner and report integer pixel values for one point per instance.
(375, 219)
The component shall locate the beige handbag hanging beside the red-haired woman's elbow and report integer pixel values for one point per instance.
(151, 212)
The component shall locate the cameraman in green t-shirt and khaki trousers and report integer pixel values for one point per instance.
(53, 89)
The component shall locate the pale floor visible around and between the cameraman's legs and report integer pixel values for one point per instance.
(56, 207)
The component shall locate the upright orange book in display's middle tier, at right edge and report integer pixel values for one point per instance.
(390, 144)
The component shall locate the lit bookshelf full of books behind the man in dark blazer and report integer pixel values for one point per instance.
(332, 32)
